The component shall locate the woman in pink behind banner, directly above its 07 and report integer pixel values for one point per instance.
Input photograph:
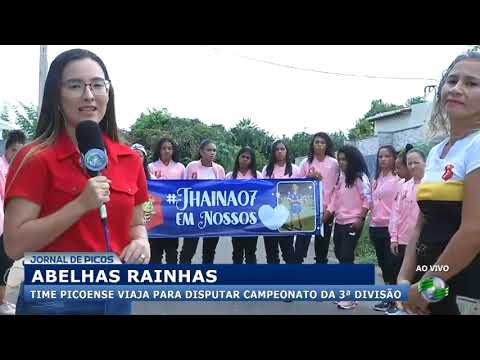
(245, 168)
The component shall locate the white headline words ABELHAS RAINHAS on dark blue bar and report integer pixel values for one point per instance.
(115, 276)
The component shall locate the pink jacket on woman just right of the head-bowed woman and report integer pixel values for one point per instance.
(384, 190)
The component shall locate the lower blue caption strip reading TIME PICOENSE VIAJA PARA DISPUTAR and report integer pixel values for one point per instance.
(86, 293)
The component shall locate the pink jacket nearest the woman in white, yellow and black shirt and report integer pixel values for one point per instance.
(405, 213)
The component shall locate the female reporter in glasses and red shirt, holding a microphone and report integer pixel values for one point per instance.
(57, 209)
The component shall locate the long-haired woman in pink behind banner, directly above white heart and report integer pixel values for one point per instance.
(280, 167)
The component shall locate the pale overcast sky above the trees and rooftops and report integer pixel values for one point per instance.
(223, 84)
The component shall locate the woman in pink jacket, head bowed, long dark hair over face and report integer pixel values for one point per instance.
(349, 205)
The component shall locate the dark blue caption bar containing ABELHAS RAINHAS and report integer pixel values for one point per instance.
(221, 274)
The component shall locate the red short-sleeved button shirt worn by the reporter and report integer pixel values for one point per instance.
(54, 177)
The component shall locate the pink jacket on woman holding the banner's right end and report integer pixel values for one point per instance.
(329, 170)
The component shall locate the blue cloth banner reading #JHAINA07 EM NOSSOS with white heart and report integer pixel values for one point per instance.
(202, 208)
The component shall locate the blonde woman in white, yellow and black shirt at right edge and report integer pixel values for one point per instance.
(447, 231)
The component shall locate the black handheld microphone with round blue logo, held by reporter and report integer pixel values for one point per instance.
(94, 158)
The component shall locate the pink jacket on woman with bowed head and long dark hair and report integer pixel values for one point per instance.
(348, 202)
